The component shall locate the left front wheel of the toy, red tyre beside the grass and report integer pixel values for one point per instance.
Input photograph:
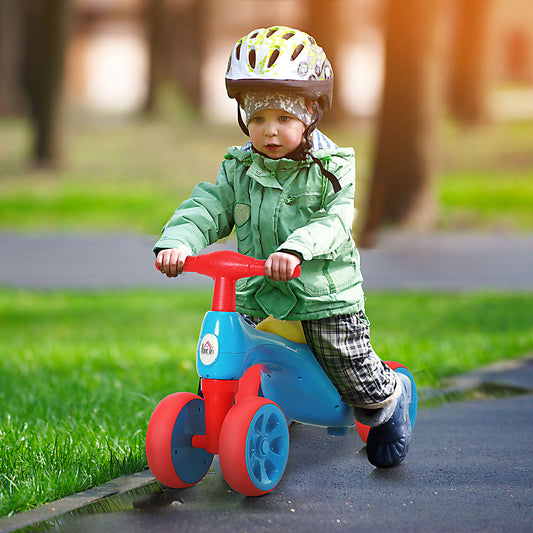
(171, 457)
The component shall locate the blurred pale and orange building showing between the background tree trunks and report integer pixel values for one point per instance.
(108, 57)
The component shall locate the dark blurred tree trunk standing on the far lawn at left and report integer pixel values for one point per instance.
(46, 27)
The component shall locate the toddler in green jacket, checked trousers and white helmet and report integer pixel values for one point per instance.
(289, 195)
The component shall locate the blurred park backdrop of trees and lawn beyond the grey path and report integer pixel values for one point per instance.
(111, 110)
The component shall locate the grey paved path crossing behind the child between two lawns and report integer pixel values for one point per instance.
(400, 261)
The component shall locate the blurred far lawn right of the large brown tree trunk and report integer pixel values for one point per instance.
(486, 177)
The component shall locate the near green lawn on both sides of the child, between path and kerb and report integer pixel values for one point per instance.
(81, 372)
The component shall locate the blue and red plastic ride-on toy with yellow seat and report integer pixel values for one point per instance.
(254, 382)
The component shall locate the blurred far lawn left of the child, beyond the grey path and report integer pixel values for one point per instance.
(122, 175)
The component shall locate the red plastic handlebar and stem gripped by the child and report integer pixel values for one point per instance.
(226, 267)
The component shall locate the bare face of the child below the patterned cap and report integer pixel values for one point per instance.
(275, 132)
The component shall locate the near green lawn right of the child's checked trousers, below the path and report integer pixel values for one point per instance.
(443, 335)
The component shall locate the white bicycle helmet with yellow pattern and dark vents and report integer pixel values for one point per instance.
(280, 58)
